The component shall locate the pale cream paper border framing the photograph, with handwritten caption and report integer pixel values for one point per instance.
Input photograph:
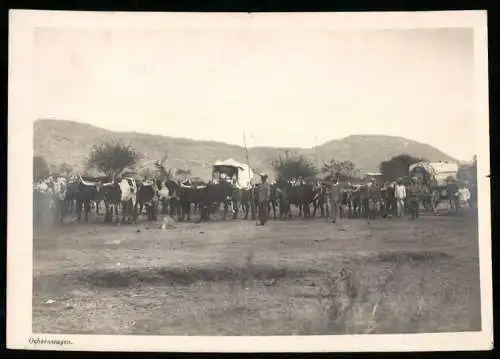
(22, 24)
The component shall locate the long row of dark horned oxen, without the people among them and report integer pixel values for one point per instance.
(125, 199)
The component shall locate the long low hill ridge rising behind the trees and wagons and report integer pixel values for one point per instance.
(61, 141)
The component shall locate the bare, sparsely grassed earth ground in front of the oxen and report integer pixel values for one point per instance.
(235, 278)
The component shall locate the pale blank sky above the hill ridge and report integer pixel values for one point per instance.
(293, 88)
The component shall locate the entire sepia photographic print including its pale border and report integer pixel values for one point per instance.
(276, 177)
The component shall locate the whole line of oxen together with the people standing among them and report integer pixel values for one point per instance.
(125, 198)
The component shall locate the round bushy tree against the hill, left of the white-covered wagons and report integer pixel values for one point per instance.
(112, 158)
